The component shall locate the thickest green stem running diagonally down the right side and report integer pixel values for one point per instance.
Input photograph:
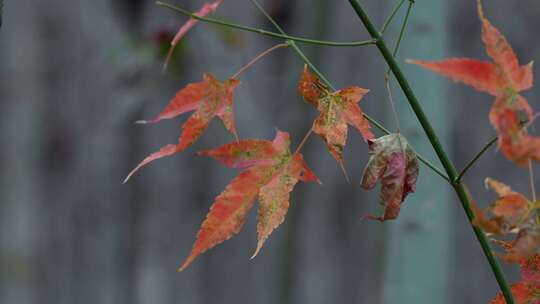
(459, 188)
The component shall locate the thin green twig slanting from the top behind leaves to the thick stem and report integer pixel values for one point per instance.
(321, 76)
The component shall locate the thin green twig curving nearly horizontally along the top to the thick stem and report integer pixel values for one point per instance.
(264, 32)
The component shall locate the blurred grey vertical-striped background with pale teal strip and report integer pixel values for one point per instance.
(74, 77)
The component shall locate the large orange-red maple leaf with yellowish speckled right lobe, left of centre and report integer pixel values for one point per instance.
(271, 172)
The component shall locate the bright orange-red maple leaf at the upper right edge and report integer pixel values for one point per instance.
(503, 78)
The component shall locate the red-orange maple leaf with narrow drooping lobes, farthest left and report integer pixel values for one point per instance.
(209, 98)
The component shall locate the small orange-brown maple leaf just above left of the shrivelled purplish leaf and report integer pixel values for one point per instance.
(338, 110)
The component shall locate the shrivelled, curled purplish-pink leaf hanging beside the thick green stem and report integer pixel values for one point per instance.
(394, 163)
